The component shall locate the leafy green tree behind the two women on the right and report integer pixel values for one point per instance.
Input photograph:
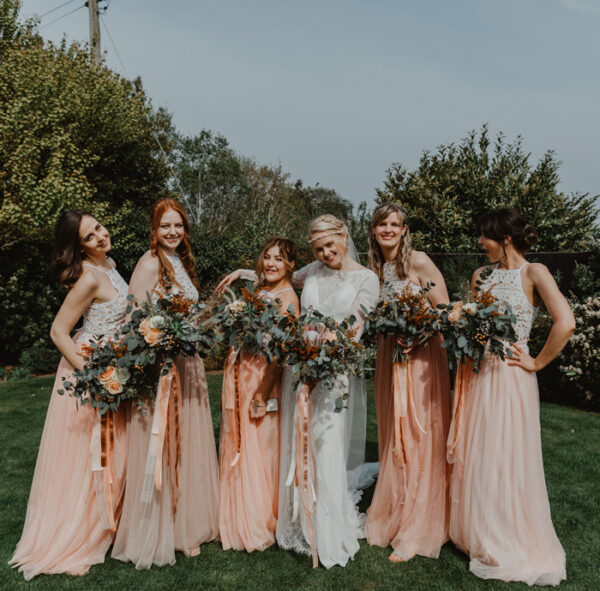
(455, 184)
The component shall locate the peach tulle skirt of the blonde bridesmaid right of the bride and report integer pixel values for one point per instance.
(409, 510)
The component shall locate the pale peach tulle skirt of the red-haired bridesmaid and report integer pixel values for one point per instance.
(149, 533)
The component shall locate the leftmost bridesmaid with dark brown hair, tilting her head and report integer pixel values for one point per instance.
(76, 491)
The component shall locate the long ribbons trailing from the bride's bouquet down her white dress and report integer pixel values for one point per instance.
(305, 465)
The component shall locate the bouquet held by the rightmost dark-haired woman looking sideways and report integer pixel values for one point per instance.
(471, 329)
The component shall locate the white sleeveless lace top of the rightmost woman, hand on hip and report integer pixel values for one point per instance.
(505, 284)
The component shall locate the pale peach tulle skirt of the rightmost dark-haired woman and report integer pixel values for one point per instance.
(500, 514)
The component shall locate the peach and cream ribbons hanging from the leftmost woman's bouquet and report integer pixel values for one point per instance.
(102, 457)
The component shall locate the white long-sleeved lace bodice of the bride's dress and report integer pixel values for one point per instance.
(339, 293)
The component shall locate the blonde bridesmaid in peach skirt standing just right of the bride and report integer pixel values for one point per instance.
(409, 510)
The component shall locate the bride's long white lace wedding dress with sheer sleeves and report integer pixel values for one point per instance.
(337, 439)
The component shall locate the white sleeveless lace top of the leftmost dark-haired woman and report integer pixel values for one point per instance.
(103, 319)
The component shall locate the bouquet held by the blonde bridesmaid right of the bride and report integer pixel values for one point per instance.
(406, 315)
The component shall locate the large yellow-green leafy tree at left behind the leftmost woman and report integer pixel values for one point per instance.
(71, 135)
